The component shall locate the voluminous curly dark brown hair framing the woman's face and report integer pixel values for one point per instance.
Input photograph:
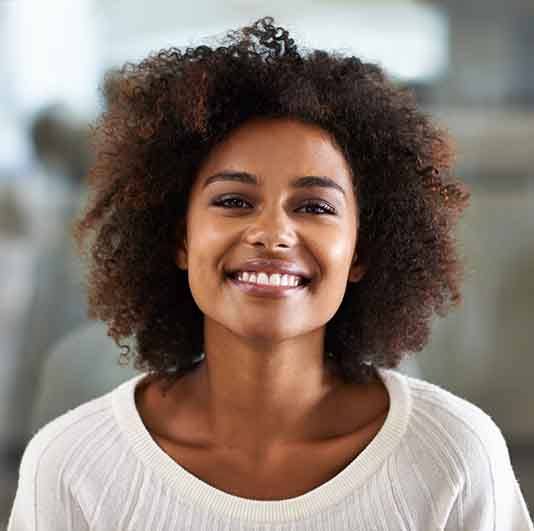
(167, 112)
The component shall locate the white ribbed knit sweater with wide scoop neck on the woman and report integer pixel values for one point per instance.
(438, 463)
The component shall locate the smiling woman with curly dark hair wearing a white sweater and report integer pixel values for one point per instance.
(275, 232)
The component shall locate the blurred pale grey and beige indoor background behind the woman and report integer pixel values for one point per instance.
(470, 63)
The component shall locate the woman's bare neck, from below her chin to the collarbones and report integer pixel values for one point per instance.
(258, 395)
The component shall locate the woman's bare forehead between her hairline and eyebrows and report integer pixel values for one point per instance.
(279, 146)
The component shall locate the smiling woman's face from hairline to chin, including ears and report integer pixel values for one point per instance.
(230, 221)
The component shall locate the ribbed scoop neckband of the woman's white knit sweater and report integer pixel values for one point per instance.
(197, 491)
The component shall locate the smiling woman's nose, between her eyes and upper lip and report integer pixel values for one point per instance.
(272, 229)
